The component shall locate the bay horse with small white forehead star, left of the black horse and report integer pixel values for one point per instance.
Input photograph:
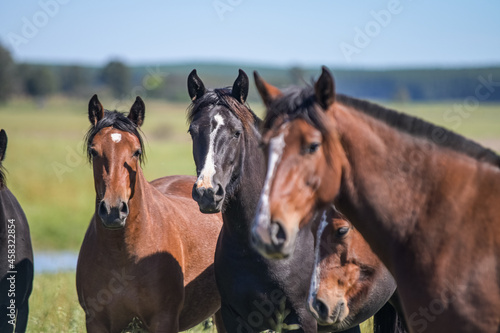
(148, 251)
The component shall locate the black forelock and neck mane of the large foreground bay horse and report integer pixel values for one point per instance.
(301, 103)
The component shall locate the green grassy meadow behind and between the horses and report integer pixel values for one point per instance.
(51, 177)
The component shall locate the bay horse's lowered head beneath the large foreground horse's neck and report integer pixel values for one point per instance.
(349, 283)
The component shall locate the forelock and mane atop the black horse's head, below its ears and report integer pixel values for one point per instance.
(223, 97)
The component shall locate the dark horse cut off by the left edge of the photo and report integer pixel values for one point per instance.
(16, 262)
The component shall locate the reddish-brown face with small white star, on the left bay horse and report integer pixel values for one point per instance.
(115, 159)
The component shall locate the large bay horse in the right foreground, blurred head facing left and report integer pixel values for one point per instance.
(423, 197)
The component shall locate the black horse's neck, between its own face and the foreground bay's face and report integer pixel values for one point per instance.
(240, 208)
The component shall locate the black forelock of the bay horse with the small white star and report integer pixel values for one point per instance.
(116, 120)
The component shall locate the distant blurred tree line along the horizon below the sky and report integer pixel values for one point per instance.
(169, 81)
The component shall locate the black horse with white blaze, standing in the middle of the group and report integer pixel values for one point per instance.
(257, 293)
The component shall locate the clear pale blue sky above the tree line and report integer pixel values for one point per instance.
(374, 34)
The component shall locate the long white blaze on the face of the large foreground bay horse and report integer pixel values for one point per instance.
(276, 146)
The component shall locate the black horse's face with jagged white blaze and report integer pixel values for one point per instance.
(217, 143)
